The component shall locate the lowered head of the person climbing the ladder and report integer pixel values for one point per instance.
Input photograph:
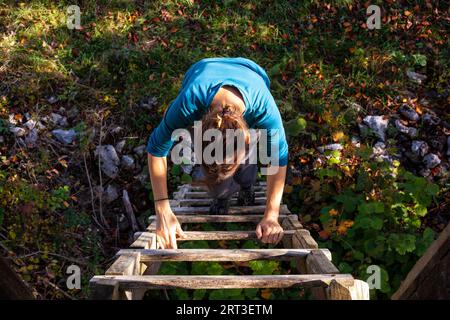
(233, 130)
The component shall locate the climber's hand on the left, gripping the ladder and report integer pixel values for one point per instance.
(167, 227)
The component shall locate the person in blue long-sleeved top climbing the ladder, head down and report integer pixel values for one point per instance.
(224, 93)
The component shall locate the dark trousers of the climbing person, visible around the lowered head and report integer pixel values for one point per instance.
(244, 177)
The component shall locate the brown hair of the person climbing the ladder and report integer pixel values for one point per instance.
(222, 120)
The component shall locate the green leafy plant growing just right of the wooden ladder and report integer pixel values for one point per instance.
(377, 221)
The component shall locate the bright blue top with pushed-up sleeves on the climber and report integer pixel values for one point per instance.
(200, 84)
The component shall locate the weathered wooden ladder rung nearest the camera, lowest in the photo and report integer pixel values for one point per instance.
(224, 282)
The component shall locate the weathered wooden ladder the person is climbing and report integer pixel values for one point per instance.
(135, 269)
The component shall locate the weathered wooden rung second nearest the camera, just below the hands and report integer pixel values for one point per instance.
(218, 254)
